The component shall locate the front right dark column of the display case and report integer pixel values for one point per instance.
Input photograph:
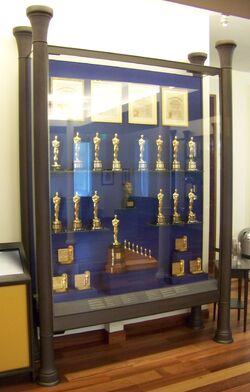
(223, 333)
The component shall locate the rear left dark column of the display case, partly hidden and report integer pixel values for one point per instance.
(23, 35)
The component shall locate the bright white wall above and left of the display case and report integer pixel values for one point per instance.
(153, 28)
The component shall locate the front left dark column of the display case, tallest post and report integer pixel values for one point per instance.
(40, 17)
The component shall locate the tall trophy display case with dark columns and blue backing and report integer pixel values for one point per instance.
(122, 186)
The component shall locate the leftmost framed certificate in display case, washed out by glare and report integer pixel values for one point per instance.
(66, 99)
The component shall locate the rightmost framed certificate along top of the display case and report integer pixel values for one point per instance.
(174, 107)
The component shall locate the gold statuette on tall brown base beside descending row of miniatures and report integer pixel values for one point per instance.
(116, 252)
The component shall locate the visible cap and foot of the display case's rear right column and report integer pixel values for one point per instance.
(195, 319)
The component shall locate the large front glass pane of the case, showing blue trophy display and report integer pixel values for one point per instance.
(130, 177)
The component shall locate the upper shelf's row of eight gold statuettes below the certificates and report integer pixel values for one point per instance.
(116, 164)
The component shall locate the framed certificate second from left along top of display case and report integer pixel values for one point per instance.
(106, 101)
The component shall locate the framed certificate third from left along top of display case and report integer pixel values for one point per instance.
(142, 104)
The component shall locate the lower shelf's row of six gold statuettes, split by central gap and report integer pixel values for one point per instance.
(96, 222)
